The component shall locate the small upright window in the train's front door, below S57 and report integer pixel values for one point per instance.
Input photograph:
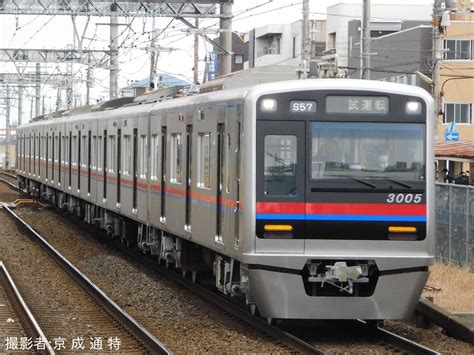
(280, 165)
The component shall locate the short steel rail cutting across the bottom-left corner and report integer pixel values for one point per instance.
(19, 303)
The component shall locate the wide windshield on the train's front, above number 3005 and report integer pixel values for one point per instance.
(367, 150)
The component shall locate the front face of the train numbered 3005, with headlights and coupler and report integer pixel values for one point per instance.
(343, 209)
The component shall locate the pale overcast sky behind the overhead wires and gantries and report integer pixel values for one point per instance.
(37, 32)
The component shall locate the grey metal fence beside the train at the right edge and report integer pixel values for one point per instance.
(455, 224)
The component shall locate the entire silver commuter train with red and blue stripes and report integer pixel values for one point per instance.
(308, 199)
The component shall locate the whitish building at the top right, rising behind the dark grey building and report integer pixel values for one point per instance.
(385, 17)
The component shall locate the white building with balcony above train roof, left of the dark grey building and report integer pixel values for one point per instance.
(280, 44)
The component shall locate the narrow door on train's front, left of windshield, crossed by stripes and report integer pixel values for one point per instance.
(280, 207)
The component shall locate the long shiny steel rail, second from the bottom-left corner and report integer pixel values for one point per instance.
(143, 335)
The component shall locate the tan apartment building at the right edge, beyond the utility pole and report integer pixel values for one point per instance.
(455, 126)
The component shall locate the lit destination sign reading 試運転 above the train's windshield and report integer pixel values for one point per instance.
(357, 104)
